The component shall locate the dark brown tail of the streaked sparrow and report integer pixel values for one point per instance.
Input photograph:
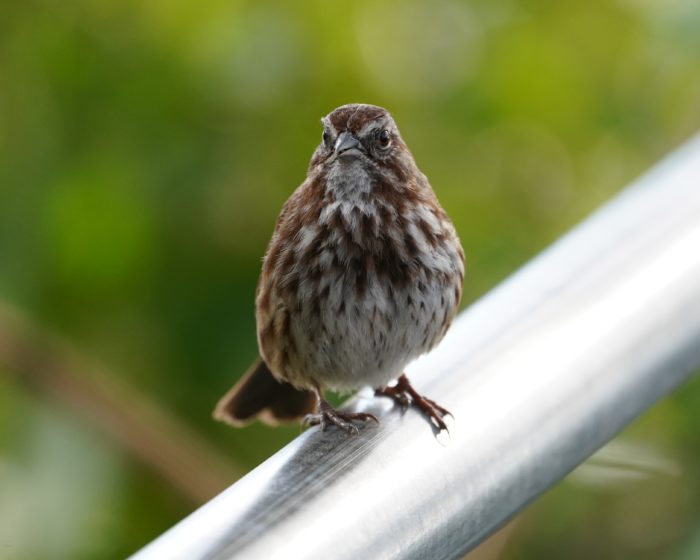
(259, 395)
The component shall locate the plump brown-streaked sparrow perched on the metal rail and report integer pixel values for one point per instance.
(363, 274)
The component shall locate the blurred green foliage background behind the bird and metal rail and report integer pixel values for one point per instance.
(145, 151)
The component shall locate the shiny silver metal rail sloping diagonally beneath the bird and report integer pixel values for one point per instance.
(539, 374)
